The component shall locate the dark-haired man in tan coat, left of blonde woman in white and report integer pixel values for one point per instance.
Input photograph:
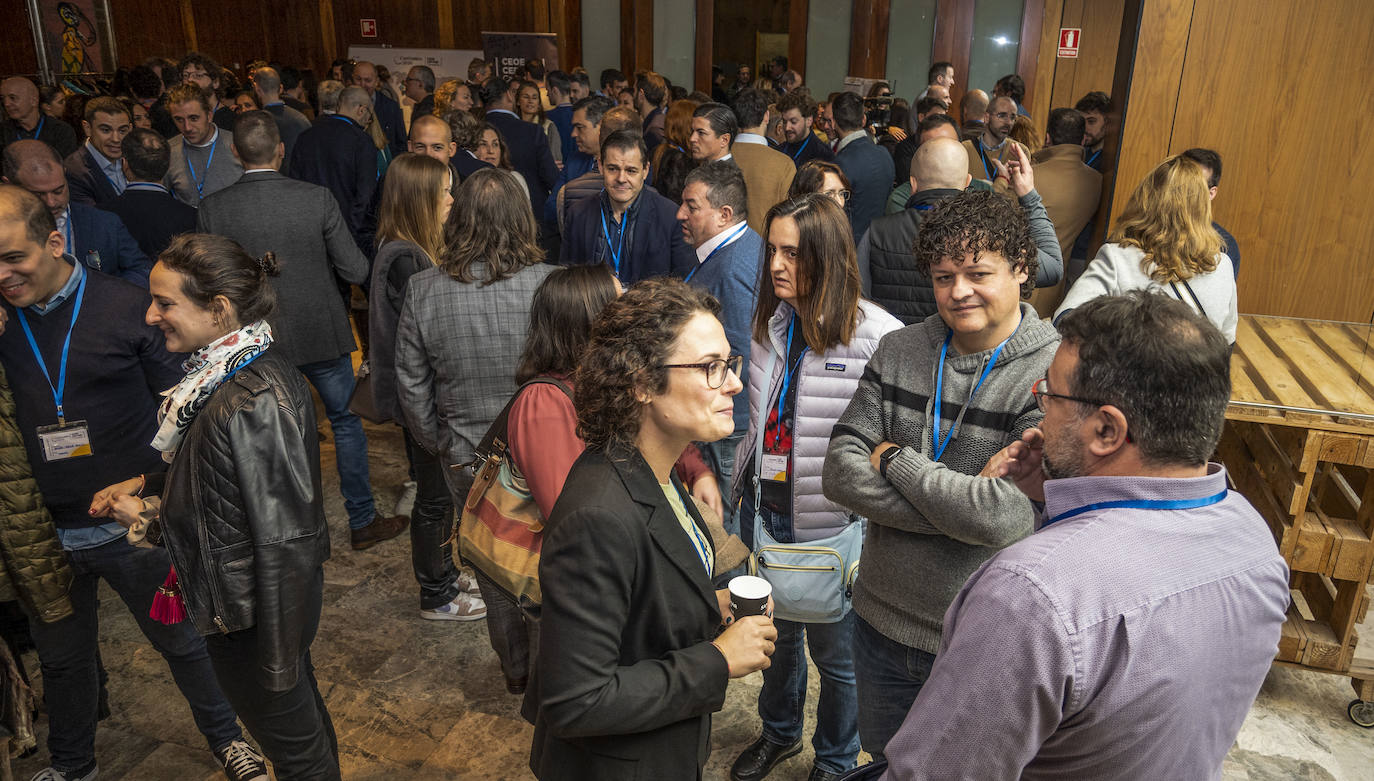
(1070, 189)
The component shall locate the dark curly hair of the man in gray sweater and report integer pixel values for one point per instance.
(978, 222)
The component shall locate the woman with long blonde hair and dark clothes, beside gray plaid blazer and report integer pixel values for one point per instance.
(410, 239)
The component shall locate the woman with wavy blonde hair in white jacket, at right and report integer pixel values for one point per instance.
(1164, 240)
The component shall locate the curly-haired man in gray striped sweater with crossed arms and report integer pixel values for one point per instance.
(938, 402)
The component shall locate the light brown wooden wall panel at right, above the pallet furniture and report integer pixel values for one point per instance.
(1295, 199)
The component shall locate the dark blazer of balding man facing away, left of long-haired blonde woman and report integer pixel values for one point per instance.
(339, 155)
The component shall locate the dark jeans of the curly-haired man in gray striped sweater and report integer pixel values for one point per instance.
(890, 676)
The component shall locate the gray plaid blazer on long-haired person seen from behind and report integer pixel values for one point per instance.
(457, 350)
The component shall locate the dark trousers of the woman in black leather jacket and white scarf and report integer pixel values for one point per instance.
(293, 728)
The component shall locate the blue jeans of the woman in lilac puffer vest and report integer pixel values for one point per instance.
(782, 699)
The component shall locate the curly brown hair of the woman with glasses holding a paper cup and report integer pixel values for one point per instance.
(631, 340)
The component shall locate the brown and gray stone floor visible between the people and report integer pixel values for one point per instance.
(424, 701)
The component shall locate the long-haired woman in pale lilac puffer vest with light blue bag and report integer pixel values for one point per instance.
(813, 338)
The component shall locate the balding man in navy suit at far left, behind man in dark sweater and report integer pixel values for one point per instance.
(94, 237)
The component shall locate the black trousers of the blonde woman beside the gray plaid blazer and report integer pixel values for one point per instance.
(432, 525)
